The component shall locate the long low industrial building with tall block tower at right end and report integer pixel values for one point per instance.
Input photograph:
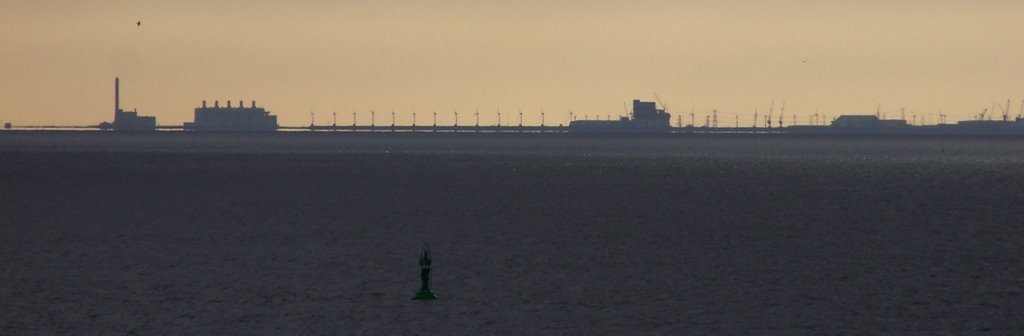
(647, 118)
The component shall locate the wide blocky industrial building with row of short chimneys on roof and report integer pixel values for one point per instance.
(233, 119)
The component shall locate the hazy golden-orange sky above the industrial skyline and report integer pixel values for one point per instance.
(59, 59)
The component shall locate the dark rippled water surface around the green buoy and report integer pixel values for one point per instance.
(539, 234)
